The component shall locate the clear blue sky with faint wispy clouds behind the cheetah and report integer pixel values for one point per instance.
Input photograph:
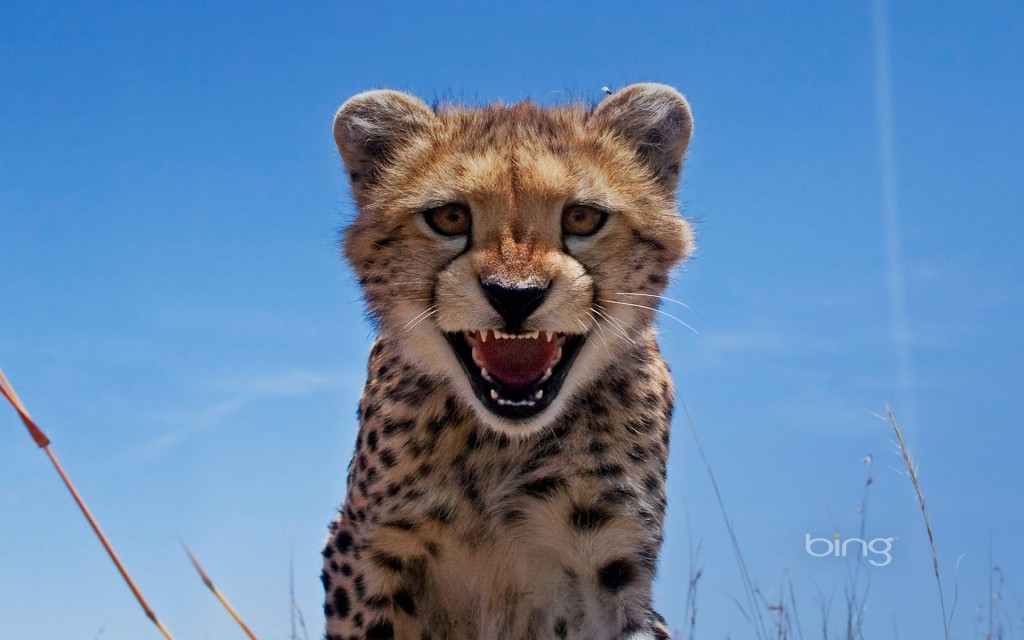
(176, 315)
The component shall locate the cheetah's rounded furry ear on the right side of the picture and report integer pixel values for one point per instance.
(657, 120)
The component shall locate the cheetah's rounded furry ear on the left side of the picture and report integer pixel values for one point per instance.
(371, 126)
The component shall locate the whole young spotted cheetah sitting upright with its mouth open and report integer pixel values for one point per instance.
(509, 475)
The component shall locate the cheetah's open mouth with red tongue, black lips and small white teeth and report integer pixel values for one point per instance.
(517, 376)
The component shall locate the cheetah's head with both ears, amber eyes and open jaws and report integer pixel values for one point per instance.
(516, 250)
